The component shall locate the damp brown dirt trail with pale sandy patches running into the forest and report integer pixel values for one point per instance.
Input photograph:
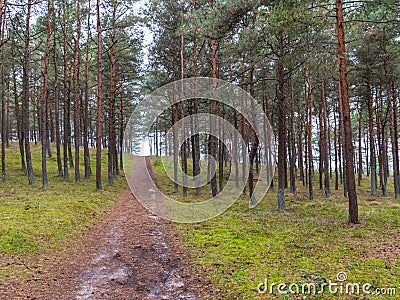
(137, 257)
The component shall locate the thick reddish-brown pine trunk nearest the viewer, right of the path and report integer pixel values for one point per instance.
(348, 145)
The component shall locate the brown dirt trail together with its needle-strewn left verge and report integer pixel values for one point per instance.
(129, 254)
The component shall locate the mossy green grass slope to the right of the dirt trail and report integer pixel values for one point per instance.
(310, 242)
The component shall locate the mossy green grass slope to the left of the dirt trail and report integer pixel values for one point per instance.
(34, 221)
